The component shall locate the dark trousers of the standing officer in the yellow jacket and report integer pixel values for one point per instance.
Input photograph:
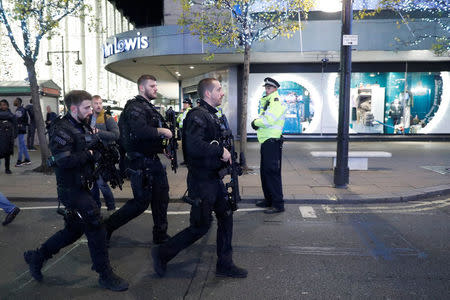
(270, 171)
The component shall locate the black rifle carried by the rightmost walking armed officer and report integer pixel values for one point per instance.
(235, 168)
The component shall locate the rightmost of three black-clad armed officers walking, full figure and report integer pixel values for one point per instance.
(204, 155)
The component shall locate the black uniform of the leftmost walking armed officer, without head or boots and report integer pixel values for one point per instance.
(74, 164)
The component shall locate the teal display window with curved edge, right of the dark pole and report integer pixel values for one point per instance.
(383, 103)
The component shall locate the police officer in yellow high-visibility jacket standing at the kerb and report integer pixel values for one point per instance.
(269, 127)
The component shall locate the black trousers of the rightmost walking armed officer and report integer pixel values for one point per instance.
(211, 193)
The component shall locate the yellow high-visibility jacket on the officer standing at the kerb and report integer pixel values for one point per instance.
(271, 118)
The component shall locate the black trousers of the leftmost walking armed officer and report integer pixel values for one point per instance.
(85, 219)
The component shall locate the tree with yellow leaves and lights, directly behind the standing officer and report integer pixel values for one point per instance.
(238, 24)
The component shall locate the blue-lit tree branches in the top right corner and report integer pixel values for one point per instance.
(432, 11)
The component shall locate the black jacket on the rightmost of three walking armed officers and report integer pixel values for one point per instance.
(202, 146)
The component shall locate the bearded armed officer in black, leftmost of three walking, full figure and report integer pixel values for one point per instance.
(70, 138)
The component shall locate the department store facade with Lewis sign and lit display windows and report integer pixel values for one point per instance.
(395, 88)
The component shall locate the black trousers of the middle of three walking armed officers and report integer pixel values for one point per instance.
(150, 187)
